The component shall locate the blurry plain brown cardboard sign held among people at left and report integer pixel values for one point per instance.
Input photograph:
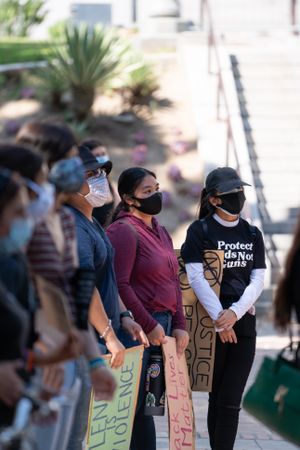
(54, 304)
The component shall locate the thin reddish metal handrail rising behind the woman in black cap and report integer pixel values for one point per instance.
(213, 47)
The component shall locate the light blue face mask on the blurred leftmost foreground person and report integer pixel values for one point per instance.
(19, 235)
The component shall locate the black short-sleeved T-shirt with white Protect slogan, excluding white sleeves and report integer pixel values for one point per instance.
(243, 251)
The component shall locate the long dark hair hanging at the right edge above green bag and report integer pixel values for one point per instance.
(282, 300)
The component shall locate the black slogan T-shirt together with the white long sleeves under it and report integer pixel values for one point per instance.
(241, 250)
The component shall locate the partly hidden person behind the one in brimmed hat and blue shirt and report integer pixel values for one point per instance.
(103, 214)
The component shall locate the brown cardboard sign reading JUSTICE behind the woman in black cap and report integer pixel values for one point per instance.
(201, 349)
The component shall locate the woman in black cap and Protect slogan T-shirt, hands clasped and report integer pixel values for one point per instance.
(220, 227)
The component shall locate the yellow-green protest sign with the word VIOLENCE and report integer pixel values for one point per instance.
(110, 423)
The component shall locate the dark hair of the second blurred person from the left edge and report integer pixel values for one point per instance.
(21, 159)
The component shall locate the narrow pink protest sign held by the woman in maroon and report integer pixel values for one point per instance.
(179, 396)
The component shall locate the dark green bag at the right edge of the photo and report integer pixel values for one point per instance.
(274, 398)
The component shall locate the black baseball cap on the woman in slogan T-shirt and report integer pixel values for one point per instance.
(223, 179)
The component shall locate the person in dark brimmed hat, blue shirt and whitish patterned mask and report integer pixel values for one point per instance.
(96, 253)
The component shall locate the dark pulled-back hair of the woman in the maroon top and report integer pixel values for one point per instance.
(128, 182)
